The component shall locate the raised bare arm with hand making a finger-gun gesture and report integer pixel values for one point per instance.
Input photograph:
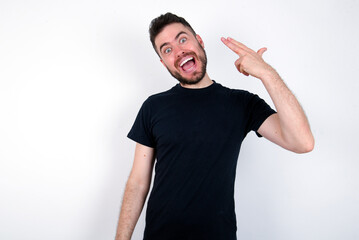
(289, 128)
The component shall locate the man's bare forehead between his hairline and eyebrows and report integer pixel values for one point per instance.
(169, 33)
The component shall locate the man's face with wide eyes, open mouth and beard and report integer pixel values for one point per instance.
(182, 53)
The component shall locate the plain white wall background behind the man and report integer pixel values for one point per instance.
(74, 73)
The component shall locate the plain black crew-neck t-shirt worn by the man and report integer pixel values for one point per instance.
(197, 135)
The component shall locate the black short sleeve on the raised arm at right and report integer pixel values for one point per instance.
(258, 111)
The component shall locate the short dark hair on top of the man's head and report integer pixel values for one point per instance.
(162, 21)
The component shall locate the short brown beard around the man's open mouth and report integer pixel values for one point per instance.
(198, 75)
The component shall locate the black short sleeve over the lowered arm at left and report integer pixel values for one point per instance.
(141, 130)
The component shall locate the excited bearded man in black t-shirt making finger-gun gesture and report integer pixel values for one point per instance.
(195, 131)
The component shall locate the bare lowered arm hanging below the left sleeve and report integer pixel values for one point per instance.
(136, 191)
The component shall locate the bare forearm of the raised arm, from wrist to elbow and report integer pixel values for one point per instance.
(295, 129)
